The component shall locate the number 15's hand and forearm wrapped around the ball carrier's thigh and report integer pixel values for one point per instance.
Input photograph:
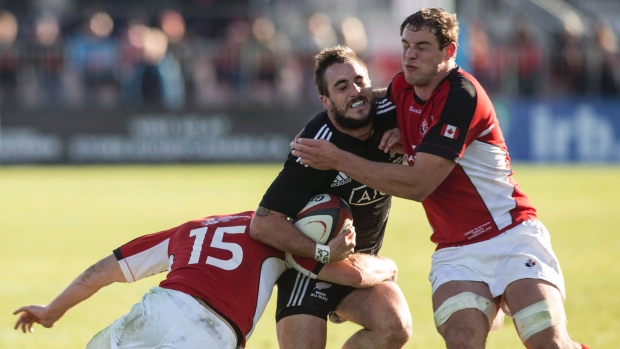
(359, 270)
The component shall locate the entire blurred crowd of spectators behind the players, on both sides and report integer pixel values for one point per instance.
(175, 60)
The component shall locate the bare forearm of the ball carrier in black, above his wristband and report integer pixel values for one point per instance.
(275, 230)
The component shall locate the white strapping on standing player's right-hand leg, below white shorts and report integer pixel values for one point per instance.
(538, 317)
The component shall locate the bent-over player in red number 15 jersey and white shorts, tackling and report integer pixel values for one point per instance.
(218, 284)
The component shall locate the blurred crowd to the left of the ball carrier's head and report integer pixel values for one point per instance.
(140, 61)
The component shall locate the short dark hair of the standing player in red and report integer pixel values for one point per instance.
(441, 23)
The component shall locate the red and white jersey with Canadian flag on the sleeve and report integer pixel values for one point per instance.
(480, 199)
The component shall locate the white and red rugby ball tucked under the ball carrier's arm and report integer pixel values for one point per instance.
(324, 217)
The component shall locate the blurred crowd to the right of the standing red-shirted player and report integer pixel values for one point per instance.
(574, 61)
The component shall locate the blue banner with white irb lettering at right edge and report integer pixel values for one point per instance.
(561, 131)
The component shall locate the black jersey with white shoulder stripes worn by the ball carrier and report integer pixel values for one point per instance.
(297, 183)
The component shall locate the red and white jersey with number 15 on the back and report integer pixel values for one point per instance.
(213, 258)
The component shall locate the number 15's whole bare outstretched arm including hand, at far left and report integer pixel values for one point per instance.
(97, 276)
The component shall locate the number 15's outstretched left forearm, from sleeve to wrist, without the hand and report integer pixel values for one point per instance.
(97, 276)
